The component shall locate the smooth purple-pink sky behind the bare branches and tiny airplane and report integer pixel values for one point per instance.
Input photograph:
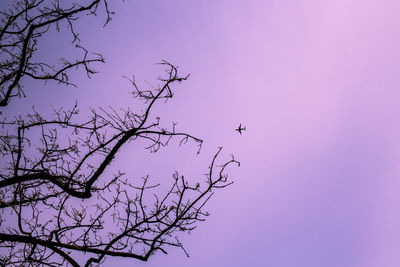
(317, 85)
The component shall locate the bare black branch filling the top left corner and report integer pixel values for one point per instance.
(23, 24)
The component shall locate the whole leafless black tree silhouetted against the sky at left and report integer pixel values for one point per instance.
(61, 203)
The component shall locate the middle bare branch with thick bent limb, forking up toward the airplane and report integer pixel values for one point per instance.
(106, 132)
